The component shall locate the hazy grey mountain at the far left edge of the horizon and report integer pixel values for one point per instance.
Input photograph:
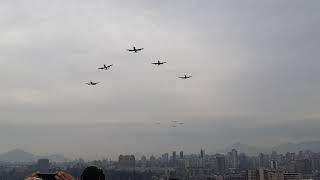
(17, 155)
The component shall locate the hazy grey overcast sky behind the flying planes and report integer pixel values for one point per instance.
(255, 67)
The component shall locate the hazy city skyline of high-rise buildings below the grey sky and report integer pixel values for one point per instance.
(232, 165)
